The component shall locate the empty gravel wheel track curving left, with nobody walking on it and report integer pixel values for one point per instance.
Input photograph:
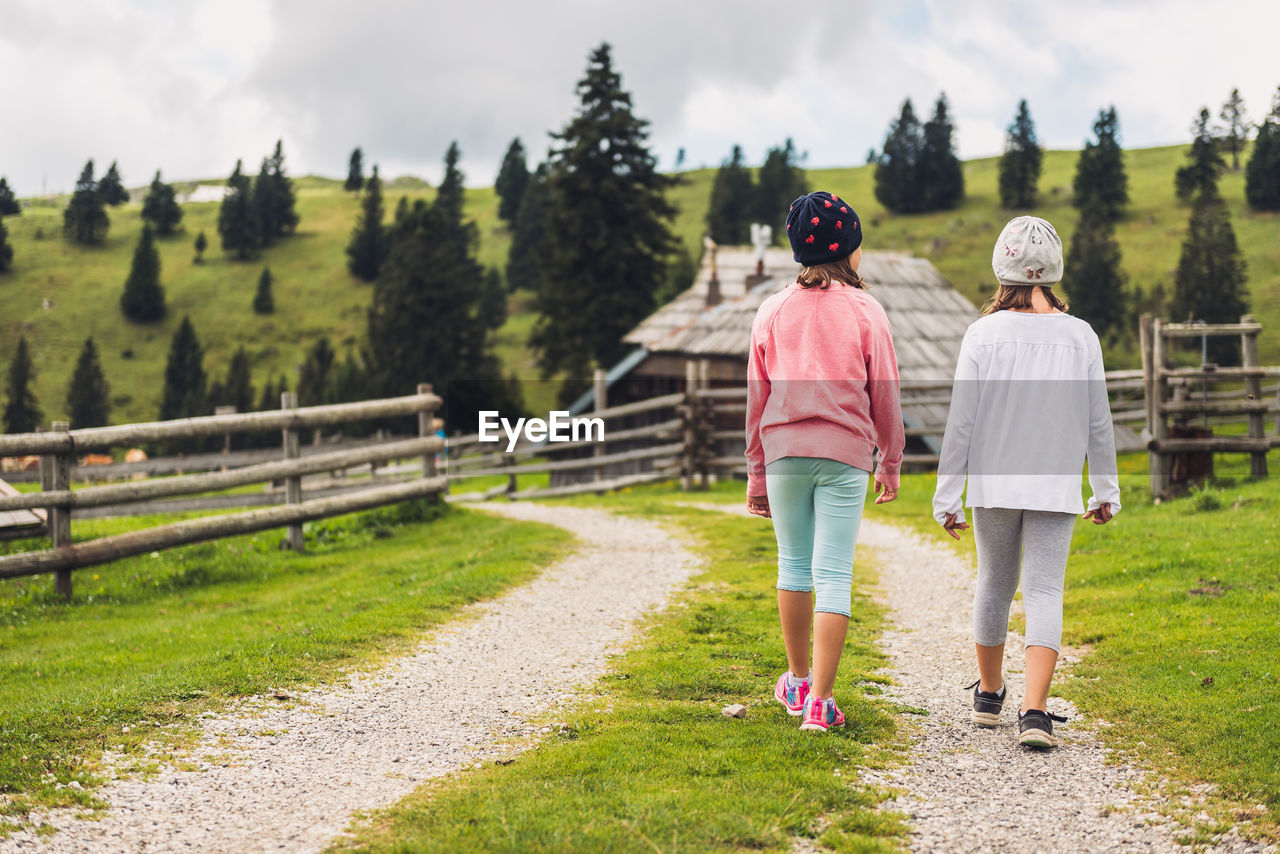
(289, 778)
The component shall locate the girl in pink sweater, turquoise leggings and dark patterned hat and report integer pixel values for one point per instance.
(822, 398)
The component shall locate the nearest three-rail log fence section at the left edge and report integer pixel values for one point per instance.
(60, 447)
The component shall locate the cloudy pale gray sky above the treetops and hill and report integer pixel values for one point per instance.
(189, 86)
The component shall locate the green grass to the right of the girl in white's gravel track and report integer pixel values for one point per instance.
(1167, 597)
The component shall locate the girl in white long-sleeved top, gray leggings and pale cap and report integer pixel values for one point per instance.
(1028, 408)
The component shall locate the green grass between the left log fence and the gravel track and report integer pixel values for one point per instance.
(153, 641)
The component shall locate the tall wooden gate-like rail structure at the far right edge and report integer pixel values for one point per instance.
(1172, 394)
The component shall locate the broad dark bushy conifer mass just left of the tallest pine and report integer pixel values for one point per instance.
(423, 323)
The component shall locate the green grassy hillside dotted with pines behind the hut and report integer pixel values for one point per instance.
(314, 294)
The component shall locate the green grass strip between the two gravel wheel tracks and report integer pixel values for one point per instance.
(650, 764)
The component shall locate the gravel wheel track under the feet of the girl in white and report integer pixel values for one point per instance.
(971, 789)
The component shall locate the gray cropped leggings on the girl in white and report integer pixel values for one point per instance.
(1037, 542)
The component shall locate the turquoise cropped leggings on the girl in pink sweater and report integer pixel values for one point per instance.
(817, 506)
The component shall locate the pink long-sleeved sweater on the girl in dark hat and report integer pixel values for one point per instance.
(822, 382)
